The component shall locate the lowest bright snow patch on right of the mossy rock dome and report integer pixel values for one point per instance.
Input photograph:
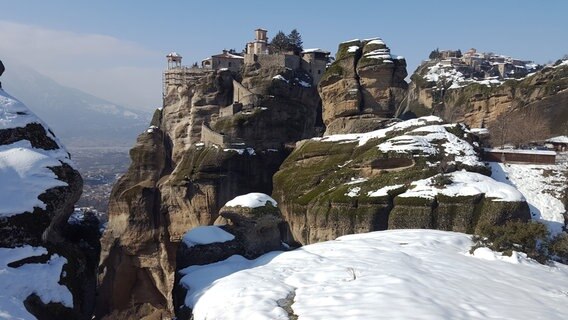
(464, 183)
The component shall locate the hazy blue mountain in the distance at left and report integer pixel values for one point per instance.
(79, 119)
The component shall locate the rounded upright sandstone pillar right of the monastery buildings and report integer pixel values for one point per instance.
(365, 79)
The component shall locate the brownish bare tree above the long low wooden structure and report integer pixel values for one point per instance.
(519, 127)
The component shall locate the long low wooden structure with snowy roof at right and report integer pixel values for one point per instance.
(519, 156)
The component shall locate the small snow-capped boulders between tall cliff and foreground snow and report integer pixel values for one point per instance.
(249, 226)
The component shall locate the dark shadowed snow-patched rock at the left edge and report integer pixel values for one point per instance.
(38, 190)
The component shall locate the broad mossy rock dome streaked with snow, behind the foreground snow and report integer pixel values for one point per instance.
(354, 183)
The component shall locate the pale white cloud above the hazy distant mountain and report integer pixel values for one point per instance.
(117, 70)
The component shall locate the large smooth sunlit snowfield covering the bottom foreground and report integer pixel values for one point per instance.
(400, 274)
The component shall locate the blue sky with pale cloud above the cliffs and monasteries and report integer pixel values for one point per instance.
(116, 49)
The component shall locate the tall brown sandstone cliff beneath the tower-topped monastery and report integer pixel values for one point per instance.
(176, 182)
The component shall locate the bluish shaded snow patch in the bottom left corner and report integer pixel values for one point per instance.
(42, 279)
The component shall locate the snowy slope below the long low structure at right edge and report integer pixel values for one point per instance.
(541, 186)
